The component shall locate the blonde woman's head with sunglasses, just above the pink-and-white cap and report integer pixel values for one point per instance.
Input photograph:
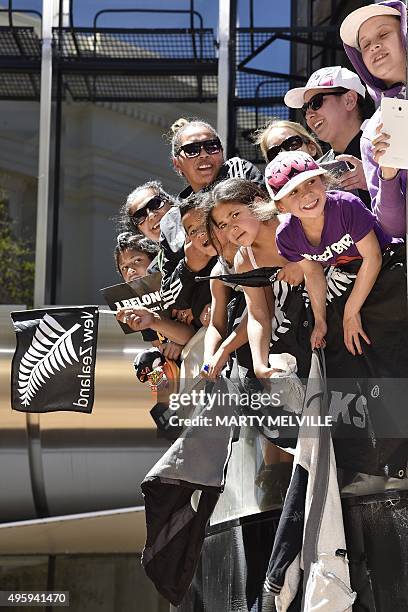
(281, 135)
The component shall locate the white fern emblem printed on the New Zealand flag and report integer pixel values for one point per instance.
(51, 349)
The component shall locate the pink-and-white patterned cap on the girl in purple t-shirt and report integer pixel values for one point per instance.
(288, 170)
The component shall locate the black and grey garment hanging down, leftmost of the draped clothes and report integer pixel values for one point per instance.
(180, 493)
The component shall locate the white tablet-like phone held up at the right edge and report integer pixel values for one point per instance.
(394, 117)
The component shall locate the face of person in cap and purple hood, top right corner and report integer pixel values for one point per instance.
(381, 48)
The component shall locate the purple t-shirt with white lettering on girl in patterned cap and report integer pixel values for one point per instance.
(346, 221)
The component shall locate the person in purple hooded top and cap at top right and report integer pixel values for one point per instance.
(374, 38)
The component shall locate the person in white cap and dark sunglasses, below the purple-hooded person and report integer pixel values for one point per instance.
(334, 107)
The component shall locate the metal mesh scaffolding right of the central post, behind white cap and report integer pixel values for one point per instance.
(313, 36)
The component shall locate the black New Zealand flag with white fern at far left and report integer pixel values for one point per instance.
(54, 364)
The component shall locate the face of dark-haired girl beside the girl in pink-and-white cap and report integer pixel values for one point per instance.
(237, 222)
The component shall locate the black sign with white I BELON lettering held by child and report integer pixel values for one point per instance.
(143, 292)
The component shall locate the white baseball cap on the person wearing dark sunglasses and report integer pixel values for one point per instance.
(325, 78)
